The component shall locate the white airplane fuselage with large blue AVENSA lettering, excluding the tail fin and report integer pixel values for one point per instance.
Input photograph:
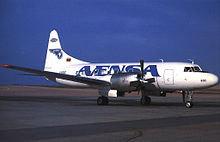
(168, 76)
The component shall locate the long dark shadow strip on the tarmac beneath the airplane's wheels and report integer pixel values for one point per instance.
(91, 101)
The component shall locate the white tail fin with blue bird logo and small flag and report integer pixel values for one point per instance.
(56, 58)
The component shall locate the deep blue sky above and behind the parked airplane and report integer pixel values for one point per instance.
(109, 31)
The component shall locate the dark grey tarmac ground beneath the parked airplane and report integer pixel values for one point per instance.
(55, 114)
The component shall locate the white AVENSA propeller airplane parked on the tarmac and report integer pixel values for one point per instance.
(116, 79)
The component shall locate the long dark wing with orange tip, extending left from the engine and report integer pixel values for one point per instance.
(84, 80)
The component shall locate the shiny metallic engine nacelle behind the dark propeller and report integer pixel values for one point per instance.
(121, 81)
